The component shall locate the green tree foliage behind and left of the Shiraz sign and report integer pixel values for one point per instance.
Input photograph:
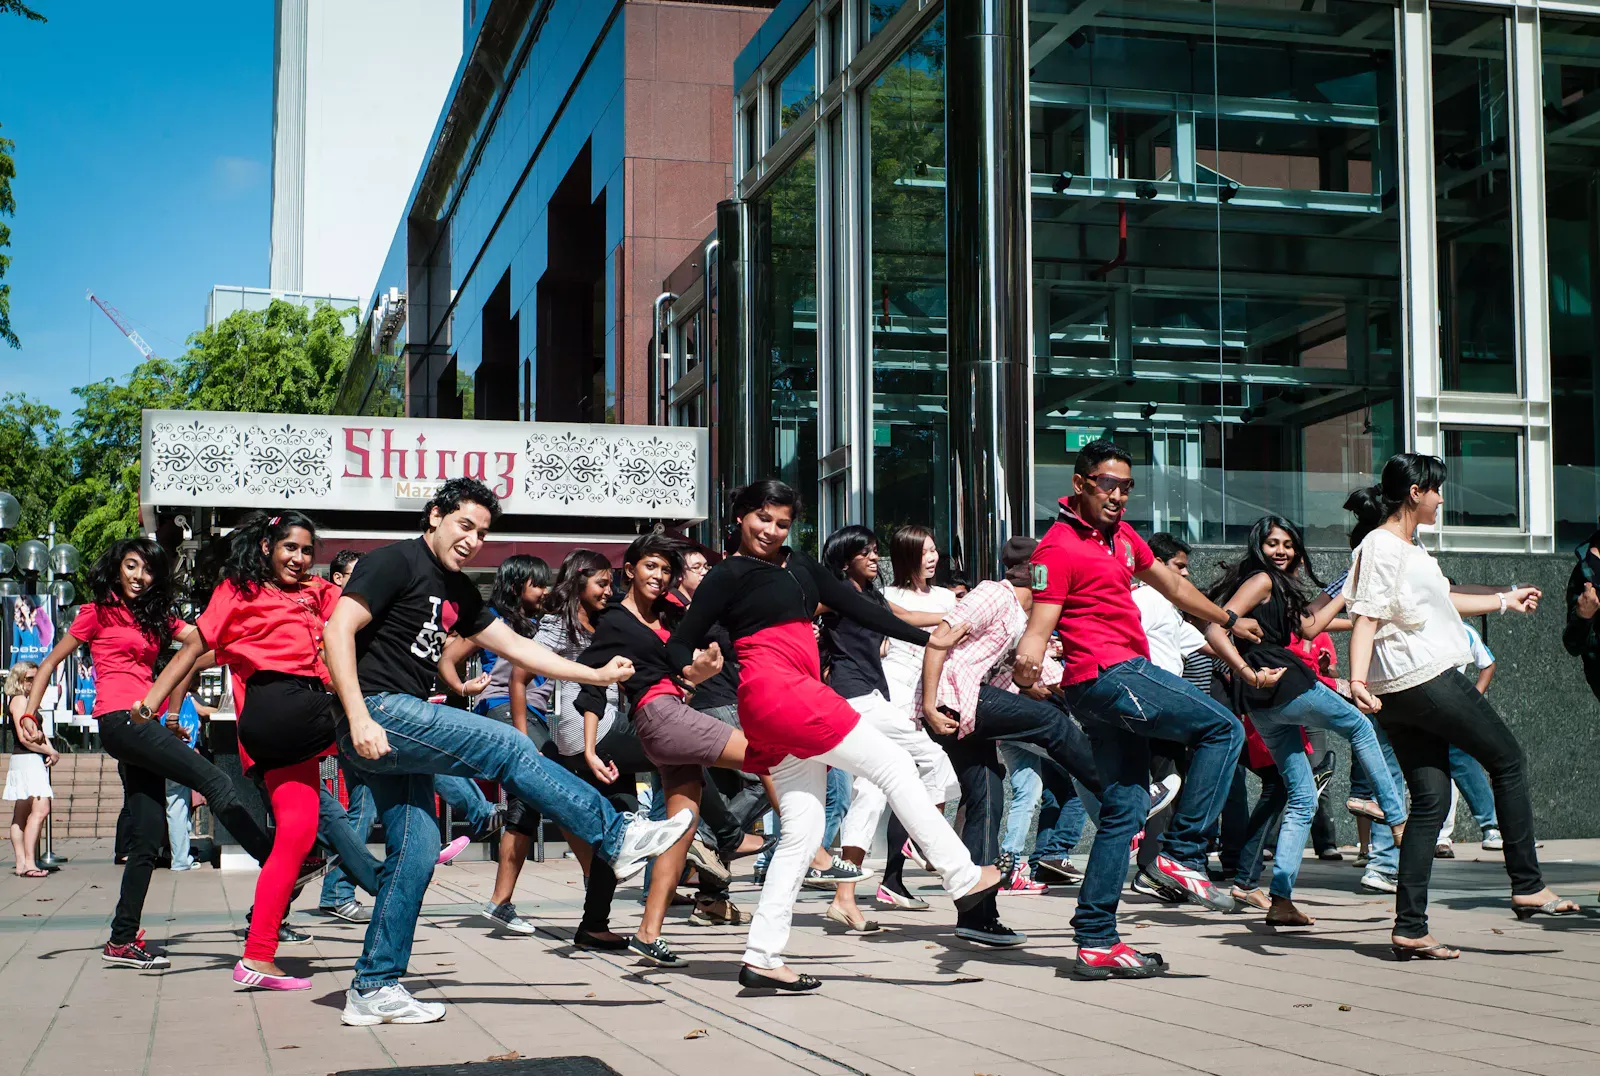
(86, 476)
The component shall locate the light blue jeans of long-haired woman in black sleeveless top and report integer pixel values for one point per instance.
(1281, 731)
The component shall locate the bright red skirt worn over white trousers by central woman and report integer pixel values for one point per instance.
(785, 707)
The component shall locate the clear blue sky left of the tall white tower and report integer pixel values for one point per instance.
(143, 155)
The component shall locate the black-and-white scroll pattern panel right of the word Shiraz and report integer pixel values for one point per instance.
(634, 473)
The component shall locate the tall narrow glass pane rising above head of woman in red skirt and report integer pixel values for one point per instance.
(786, 329)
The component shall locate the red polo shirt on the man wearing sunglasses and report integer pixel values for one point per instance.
(1092, 580)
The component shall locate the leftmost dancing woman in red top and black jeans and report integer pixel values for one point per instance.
(127, 627)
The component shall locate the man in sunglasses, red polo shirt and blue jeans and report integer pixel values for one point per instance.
(1084, 572)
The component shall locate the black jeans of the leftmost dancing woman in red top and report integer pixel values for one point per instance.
(151, 757)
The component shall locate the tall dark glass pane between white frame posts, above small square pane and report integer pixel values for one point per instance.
(1478, 316)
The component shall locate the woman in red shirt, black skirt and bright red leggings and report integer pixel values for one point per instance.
(265, 622)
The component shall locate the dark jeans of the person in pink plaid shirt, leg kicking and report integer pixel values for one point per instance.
(1009, 717)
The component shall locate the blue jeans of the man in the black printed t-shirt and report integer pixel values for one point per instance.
(426, 741)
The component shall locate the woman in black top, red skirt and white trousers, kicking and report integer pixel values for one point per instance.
(766, 595)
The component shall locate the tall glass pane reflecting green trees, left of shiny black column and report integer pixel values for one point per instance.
(906, 297)
